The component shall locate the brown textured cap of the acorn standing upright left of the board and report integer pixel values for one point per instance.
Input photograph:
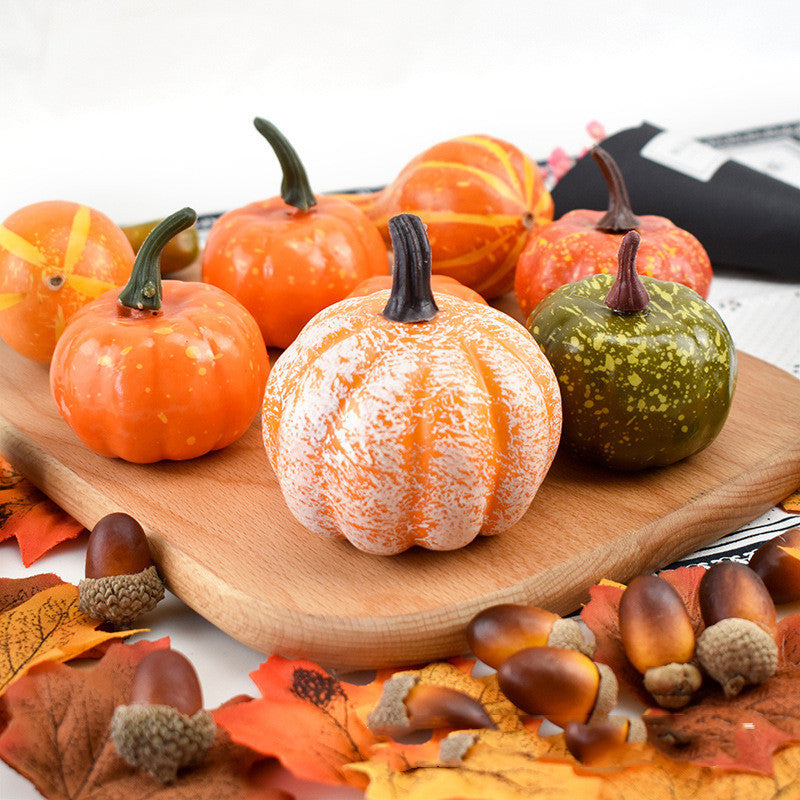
(120, 599)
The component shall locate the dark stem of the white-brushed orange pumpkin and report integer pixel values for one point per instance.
(411, 299)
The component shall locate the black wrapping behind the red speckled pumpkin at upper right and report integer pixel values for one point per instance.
(745, 220)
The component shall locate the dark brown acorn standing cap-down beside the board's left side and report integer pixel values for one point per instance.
(121, 581)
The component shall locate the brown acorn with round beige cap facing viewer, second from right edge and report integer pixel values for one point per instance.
(738, 646)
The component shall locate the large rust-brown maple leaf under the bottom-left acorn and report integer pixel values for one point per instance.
(58, 738)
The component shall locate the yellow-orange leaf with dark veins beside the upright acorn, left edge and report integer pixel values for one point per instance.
(46, 627)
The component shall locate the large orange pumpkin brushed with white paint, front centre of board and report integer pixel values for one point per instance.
(396, 420)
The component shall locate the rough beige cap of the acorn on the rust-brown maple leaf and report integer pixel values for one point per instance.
(160, 739)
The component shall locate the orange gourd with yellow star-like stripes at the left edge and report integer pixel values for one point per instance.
(55, 257)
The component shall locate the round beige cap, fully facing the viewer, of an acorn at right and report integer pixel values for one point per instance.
(736, 652)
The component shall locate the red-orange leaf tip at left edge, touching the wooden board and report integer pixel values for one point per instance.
(36, 521)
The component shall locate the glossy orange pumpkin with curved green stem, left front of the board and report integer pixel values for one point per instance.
(158, 371)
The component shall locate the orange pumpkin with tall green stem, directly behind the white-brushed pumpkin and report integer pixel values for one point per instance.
(289, 257)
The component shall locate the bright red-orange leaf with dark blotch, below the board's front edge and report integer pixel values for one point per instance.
(304, 718)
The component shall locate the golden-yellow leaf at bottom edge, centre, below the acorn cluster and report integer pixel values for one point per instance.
(482, 764)
